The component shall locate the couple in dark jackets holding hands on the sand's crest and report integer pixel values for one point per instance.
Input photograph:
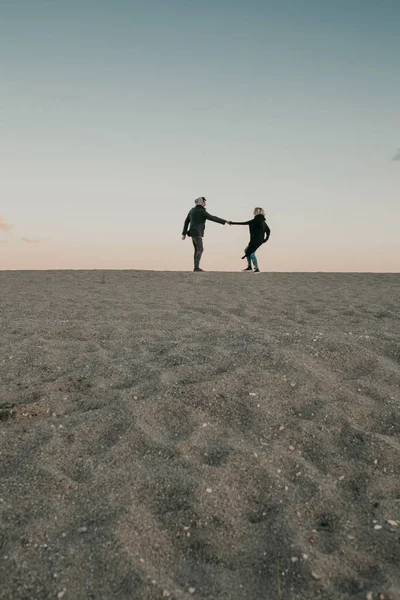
(195, 224)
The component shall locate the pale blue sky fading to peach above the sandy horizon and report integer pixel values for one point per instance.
(116, 114)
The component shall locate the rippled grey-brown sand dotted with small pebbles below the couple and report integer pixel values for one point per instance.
(212, 436)
